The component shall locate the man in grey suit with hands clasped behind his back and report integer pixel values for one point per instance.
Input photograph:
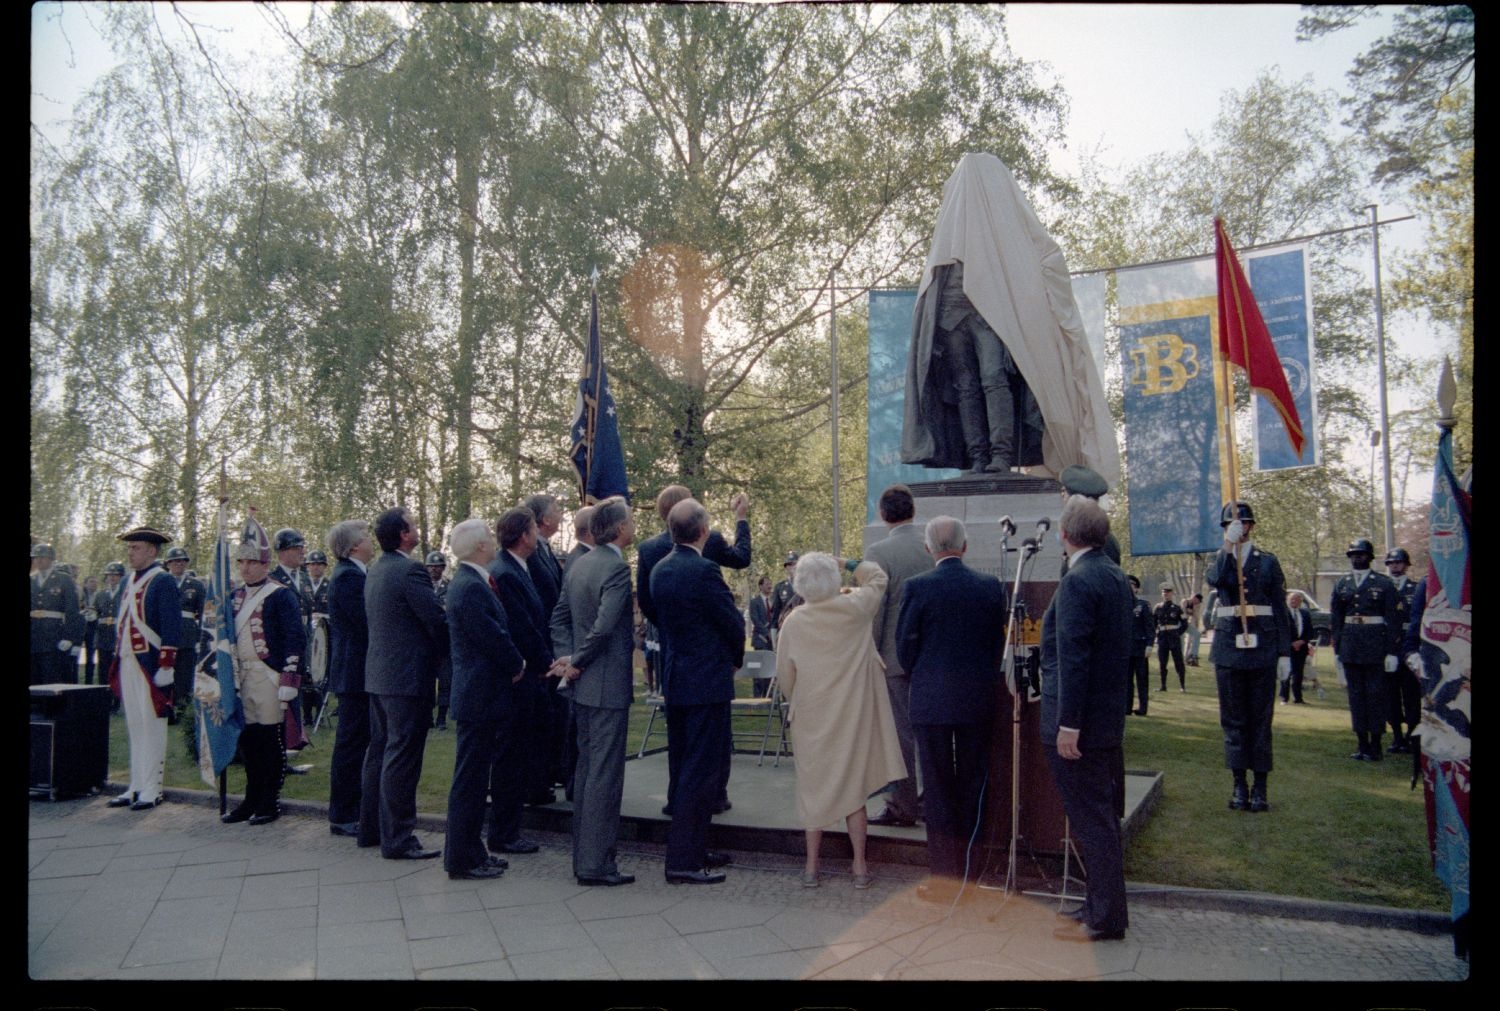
(593, 640)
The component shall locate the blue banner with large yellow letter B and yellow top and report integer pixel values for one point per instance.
(1171, 439)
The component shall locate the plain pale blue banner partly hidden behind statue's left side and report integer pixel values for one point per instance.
(890, 343)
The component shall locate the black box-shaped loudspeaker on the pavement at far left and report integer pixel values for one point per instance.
(70, 739)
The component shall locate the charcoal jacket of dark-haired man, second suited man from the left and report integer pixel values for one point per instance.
(409, 634)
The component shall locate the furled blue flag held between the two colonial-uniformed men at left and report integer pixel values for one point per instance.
(220, 713)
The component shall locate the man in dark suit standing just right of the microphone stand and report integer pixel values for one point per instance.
(1087, 643)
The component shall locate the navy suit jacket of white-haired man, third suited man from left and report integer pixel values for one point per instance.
(484, 656)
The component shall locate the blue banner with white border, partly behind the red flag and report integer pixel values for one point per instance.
(1282, 292)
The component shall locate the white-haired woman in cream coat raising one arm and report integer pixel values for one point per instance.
(845, 745)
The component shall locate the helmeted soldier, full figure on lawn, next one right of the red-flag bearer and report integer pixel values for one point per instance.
(1367, 640)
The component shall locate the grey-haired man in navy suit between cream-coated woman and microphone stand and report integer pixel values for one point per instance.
(950, 637)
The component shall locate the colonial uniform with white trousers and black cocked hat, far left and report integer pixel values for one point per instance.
(148, 637)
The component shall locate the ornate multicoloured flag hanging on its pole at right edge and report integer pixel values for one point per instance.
(1447, 694)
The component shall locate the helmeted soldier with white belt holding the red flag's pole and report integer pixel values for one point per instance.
(1252, 649)
